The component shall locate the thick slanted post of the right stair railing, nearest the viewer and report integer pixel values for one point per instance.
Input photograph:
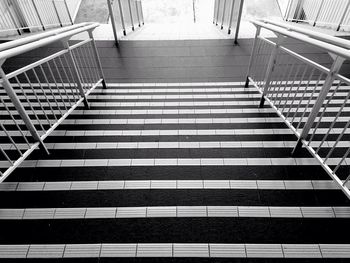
(338, 62)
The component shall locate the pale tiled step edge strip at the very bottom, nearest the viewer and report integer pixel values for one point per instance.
(175, 250)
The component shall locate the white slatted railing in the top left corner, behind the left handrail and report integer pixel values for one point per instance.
(19, 16)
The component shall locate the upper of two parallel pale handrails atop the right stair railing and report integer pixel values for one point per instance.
(316, 35)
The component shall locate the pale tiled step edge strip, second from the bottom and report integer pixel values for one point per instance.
(89, 213)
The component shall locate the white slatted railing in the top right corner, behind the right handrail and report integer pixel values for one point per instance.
(335, 14)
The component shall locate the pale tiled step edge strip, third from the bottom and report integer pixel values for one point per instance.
(169, 184)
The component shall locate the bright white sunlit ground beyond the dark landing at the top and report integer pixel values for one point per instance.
(183, 19)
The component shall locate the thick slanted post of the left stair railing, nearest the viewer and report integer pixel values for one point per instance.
(20, 109)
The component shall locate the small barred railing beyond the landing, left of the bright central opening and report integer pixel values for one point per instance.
(125, 16)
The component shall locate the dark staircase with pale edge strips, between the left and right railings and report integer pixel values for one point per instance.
(173, 170)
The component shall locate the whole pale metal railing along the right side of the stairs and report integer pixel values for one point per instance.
(303, 93)
